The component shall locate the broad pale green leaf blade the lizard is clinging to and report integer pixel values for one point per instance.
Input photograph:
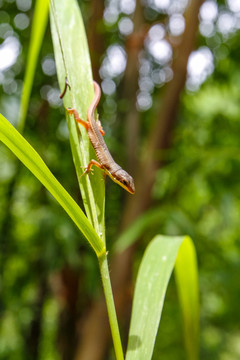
(73, 61)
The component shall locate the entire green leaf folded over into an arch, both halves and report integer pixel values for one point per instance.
(152, 280)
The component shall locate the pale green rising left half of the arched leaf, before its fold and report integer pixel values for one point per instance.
(152, 280)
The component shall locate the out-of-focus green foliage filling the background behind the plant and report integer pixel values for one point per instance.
(197, 191)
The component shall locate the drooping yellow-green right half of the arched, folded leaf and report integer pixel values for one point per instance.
(186, 275)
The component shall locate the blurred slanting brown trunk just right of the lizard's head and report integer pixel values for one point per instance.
(160, 137)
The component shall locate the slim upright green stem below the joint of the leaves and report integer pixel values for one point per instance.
(103, 264)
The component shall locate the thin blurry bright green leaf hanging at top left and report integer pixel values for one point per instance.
(38, 29)
